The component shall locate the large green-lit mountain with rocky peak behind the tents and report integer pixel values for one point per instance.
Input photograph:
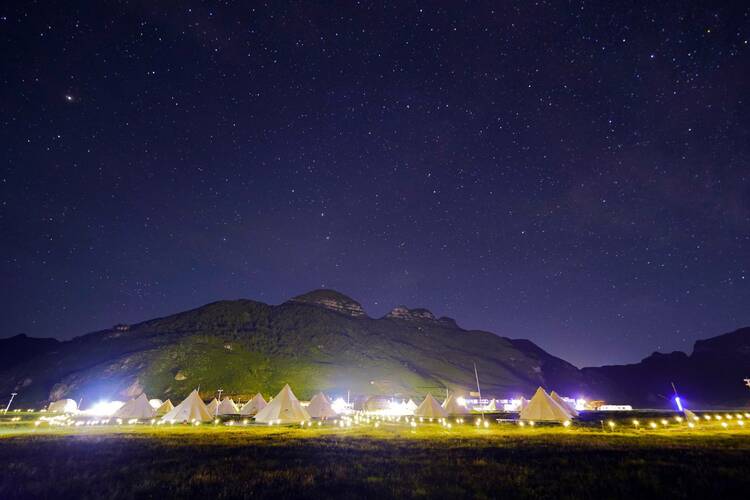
(322, 340)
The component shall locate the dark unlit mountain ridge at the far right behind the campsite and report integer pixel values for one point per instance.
(712, 376)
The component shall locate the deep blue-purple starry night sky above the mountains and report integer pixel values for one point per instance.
(572, 173)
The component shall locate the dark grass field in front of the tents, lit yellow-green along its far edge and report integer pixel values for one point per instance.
(502, 461)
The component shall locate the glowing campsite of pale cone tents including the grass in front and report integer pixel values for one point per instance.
(285, 451)
